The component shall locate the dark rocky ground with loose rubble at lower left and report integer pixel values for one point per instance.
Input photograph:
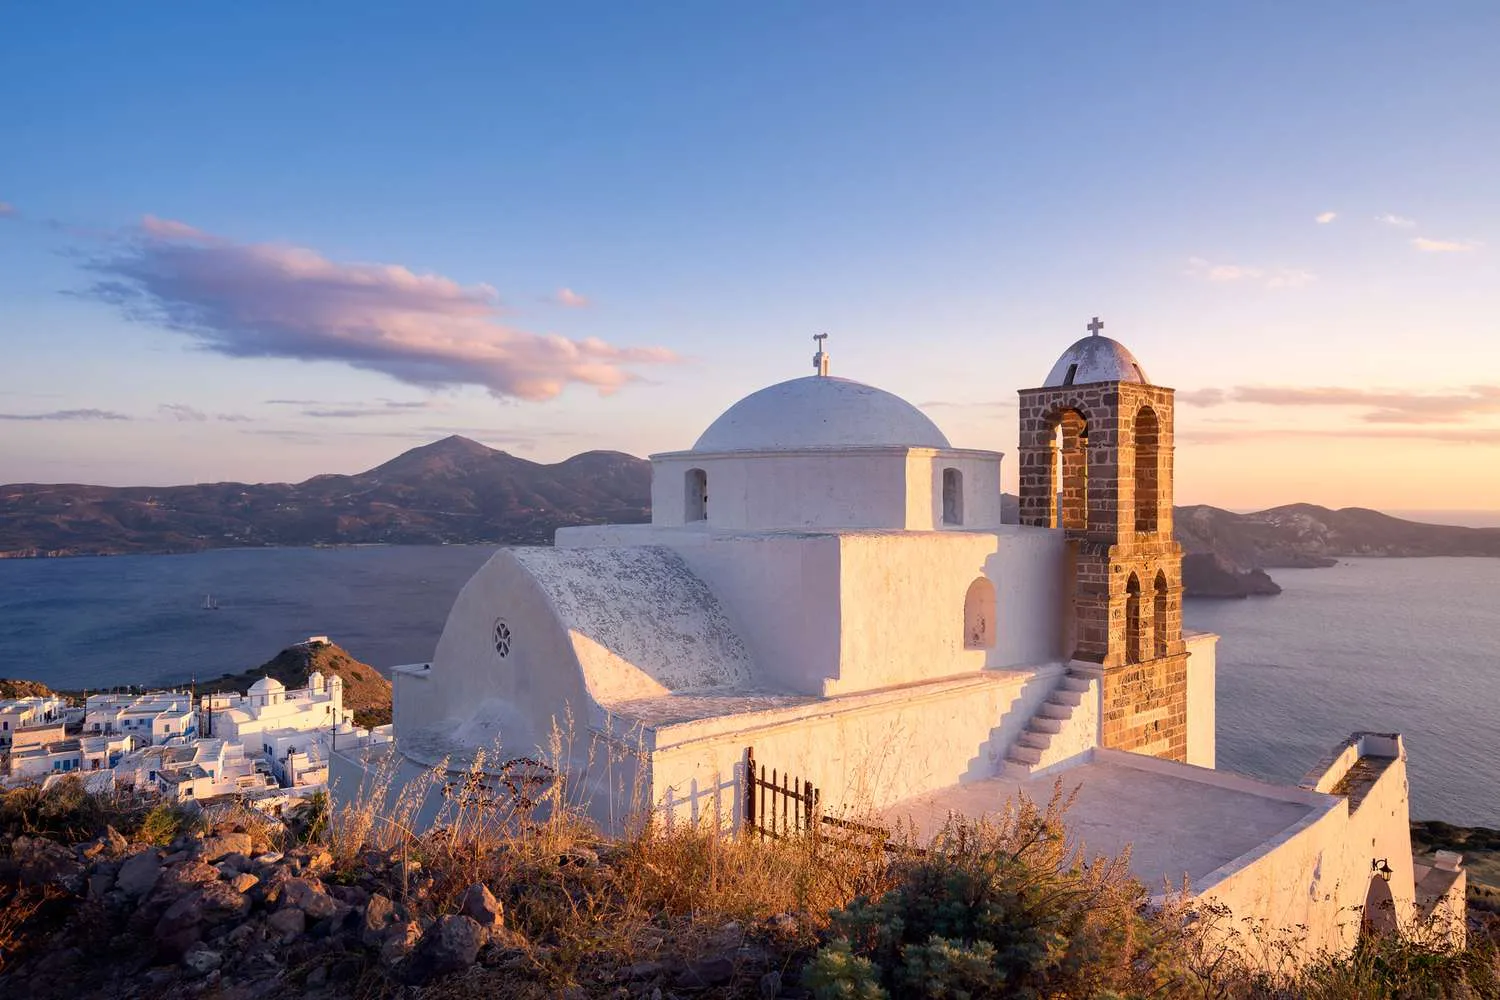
(214, 917)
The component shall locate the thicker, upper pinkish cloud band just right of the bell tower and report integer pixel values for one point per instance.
(1381, 407)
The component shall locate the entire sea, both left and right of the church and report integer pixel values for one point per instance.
(1388, 645)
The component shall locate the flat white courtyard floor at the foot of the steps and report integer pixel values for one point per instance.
(1178, 819)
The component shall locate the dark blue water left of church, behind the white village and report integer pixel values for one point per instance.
(139, 620)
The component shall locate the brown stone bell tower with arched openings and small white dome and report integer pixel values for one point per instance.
(1096, 461)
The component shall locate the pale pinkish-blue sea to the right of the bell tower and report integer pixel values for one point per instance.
(1409, 645)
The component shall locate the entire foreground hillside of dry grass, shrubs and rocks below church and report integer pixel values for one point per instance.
(110, 899)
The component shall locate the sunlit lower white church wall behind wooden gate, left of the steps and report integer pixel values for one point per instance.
(863, 753)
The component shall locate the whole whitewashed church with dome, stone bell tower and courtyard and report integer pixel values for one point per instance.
(830, 588)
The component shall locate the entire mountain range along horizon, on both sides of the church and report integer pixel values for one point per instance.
(458, 491)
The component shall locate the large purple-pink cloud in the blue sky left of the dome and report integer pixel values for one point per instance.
(284, 302)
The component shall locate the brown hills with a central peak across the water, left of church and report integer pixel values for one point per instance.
(451, 491)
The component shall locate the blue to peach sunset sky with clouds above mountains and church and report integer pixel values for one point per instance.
(265, 242)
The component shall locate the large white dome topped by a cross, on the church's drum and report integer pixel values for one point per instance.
(821, 412)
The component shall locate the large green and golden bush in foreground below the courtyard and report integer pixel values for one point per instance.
(1006, 909)
